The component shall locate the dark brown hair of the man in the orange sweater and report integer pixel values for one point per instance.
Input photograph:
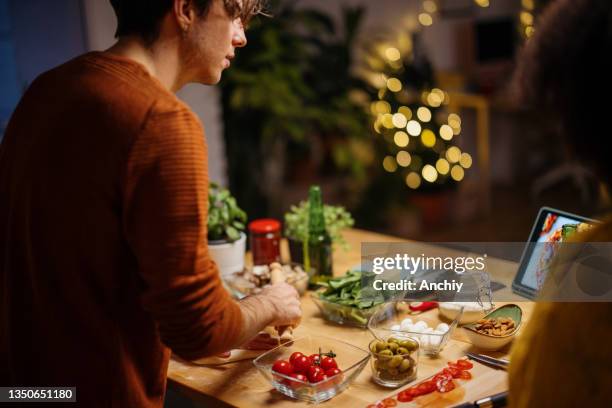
(143, 17)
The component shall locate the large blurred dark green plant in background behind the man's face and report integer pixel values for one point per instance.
(291, 101)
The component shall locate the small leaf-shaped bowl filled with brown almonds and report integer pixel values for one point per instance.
(496, 329)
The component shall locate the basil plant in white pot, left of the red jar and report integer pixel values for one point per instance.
(226, 225)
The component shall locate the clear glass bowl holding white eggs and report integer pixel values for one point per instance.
(431, 332)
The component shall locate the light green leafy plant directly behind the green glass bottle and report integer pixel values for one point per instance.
(336, 219)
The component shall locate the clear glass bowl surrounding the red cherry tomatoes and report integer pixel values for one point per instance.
(351, 360)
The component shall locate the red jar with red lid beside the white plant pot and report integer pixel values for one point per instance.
(264, 235)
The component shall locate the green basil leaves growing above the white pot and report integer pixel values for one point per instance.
(225, 219)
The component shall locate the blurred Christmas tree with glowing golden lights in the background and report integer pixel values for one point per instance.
(415, 132)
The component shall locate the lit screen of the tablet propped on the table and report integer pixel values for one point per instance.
(552, 228)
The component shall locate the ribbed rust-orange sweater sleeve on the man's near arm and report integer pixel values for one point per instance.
(165, 216)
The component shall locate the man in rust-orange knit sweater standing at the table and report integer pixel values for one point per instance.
(104, 267)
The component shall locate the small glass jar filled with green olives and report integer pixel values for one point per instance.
(394, 360)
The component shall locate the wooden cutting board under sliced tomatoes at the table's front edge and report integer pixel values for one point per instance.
(483, 378)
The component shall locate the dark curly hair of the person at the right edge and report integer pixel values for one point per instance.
(565, 73)
